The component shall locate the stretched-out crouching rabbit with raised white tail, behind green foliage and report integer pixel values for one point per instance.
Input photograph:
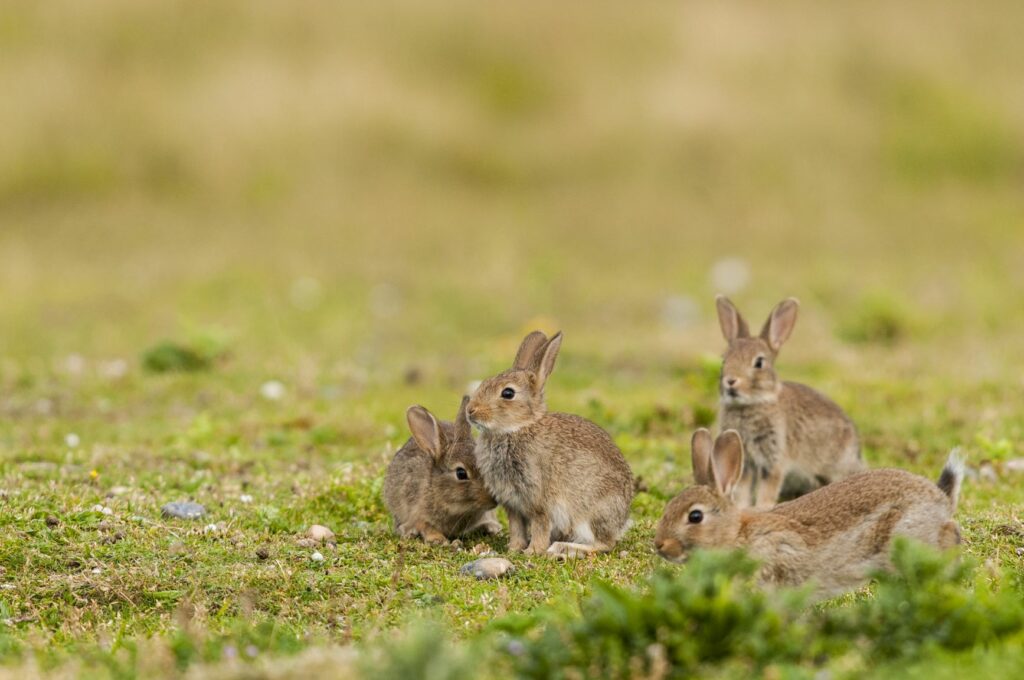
(836, 536)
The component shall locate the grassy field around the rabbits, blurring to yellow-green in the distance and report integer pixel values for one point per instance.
(372, 204)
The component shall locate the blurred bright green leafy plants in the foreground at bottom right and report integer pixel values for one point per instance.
(713, 615)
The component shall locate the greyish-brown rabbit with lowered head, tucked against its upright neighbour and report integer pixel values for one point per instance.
(434, 488)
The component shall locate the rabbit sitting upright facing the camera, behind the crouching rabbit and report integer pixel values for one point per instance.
(789, 429)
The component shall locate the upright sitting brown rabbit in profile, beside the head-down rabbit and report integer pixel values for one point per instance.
(561, 478)
